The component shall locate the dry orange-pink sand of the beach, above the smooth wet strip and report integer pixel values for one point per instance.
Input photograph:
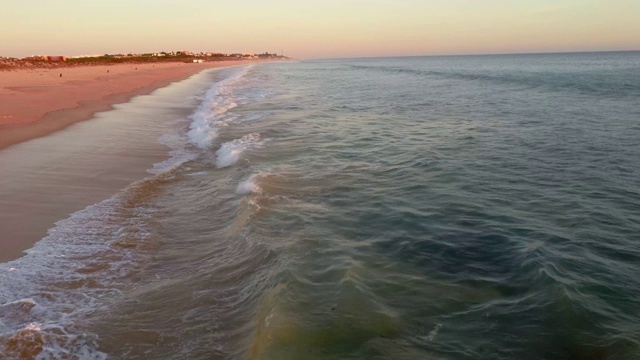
(36, 102)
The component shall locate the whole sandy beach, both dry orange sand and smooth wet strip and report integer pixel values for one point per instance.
(45, 180)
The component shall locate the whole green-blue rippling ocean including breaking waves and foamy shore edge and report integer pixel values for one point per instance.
(470, 207)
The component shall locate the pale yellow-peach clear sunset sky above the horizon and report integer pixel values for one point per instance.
(318, 29)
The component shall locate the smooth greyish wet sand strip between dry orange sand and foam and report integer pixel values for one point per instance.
(46, 179)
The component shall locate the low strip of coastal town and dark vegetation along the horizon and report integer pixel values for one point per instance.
(52, 61)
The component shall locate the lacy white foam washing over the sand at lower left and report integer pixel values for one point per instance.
(46, 293)
